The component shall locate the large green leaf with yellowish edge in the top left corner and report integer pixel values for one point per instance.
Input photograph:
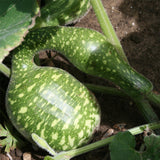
(16, 17)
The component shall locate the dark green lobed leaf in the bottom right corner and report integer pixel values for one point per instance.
(123, 147)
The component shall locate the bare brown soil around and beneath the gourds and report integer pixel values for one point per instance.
(137, 24)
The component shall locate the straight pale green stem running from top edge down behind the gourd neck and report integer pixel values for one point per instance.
(107, 27)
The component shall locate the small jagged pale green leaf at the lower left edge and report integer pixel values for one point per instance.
(6, 139)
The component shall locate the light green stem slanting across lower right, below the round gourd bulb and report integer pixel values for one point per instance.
(134, 131)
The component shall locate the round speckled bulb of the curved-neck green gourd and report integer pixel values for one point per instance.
(54, 105)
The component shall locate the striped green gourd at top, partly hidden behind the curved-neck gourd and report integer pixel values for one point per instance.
(60, 12)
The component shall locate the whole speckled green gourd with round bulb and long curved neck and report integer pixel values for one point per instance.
(53, 104)
